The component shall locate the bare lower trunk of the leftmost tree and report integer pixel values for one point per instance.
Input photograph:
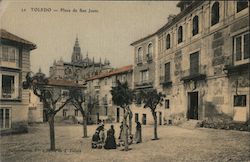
(52, 131)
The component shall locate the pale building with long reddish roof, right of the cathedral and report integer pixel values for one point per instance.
(99, 87)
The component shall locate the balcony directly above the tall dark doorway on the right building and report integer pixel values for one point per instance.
(194, 74)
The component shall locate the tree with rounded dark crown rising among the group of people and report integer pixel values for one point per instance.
(122, 96)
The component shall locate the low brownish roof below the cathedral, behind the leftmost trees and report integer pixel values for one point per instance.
(64, 83)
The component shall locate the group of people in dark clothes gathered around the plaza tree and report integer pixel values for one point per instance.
(99, 140)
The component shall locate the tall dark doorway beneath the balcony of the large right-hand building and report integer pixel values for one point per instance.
(192, 105)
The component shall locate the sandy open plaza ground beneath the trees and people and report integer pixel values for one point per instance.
(175, 144)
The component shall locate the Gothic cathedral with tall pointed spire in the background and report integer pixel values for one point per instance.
(79, 68)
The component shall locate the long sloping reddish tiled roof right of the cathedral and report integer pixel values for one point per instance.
(114, 72)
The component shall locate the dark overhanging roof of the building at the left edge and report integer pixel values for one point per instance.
(9, 36)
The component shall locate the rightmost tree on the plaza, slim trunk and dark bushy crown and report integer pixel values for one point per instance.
(150, 99)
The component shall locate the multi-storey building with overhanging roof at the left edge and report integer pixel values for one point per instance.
(14, 65)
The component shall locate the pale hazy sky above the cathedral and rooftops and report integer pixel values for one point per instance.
(105, 32)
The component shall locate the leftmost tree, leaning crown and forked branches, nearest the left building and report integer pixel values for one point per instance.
(50, 98)
